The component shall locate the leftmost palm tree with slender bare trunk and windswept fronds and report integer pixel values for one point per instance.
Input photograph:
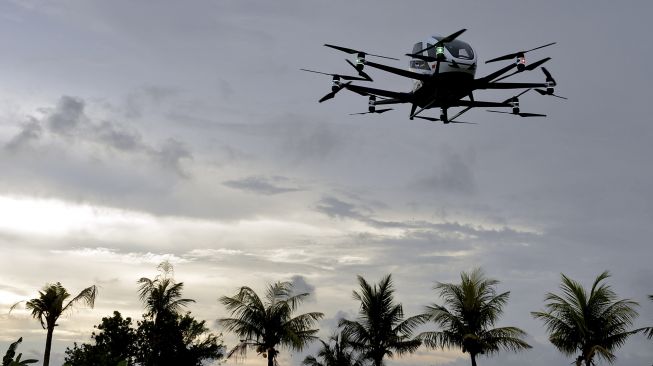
(49, 306)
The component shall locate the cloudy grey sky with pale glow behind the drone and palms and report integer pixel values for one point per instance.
(135, 132)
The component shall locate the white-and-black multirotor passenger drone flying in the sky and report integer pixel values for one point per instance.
(443, 70)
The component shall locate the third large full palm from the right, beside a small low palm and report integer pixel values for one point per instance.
(380, 329)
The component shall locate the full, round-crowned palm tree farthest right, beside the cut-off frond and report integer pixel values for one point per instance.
(593, 324)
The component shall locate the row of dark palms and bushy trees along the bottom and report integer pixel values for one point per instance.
(587, 325)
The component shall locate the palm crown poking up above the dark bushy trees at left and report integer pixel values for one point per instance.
(162, 295)
